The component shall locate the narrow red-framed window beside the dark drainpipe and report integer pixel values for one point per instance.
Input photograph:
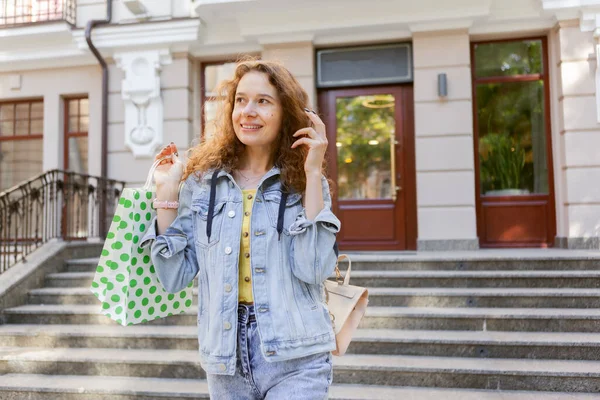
(76, 135)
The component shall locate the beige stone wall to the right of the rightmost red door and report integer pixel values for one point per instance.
(576, 136)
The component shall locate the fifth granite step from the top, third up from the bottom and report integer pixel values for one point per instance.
(478, 344)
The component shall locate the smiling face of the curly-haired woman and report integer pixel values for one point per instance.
(257, 112)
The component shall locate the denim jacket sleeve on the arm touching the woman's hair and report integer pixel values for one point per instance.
(311, 255)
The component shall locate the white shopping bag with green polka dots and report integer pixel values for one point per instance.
(125, 281)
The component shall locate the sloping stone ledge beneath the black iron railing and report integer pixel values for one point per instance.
(16, 282)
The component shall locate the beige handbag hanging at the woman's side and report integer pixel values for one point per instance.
(347, 305)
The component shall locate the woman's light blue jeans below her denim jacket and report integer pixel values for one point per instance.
(306, 378)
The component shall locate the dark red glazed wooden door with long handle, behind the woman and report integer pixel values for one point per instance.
(371, 160)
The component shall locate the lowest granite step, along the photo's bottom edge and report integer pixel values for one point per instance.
(74, 387)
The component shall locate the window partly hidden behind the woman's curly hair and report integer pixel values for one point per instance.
(212, 76)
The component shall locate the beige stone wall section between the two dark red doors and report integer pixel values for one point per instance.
(444, 142)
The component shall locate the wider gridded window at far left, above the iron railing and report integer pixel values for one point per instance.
(21, 141)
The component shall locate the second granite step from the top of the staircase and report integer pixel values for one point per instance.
(422, 279)
